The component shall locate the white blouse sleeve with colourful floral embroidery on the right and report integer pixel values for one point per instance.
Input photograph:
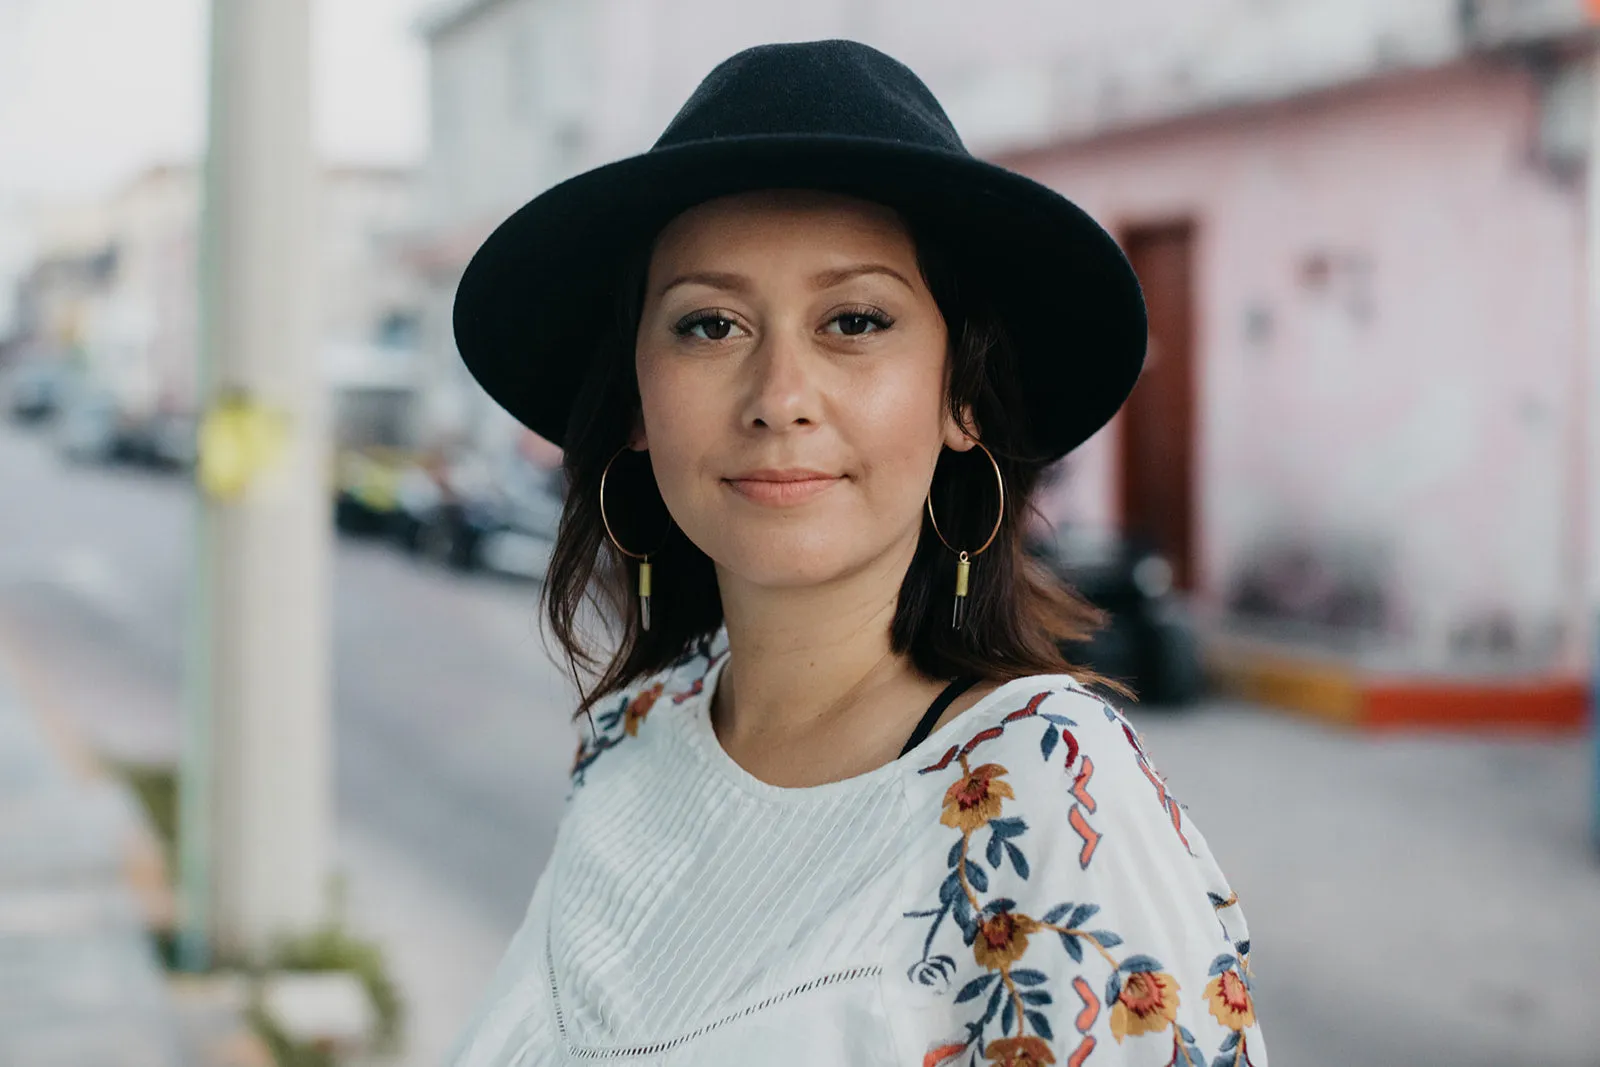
(1070, 911)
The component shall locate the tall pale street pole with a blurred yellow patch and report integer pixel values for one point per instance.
(257, 799)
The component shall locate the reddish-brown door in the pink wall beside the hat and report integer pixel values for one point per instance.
(1158, 425)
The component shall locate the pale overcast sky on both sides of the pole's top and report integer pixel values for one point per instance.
(94, 90)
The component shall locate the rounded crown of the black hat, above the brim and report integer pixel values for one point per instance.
(836, 89)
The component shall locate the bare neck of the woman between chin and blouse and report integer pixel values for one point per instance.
(802, 658)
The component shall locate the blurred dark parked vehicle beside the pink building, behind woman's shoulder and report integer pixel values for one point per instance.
(1148, 641)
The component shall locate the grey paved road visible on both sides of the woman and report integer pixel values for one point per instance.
(1414, 901)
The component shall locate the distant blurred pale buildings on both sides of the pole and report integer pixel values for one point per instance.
(114, 289)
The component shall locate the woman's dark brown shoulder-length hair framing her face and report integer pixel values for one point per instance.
(1018, 615)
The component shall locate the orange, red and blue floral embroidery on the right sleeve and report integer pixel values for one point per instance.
(1014, 1031)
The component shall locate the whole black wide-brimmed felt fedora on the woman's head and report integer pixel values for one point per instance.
(834, 116)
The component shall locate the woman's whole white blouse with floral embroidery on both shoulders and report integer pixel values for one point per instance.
(1018, 890)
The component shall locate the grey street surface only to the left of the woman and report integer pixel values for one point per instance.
(450, 729)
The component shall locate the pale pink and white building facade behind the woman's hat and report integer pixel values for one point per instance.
(1362, 226)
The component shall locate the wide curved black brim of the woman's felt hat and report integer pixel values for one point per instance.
(532, 295)
